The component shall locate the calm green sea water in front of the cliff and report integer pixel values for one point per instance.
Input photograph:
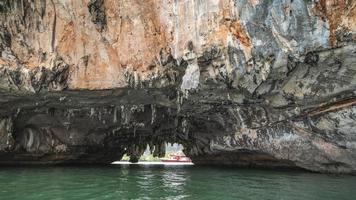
(171, 182)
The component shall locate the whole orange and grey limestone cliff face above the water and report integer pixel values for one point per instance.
(238, 82)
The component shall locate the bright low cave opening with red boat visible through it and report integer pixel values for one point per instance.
(167, 153)
